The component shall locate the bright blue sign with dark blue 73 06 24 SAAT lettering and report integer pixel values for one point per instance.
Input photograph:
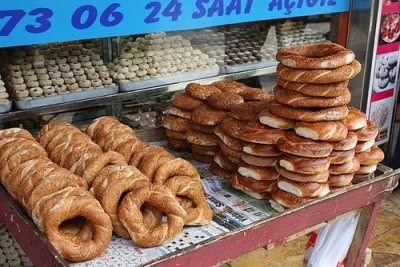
(25, 22)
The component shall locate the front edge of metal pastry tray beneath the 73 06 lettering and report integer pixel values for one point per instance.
(58, 99)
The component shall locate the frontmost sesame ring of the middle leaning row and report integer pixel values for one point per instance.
(161, 198)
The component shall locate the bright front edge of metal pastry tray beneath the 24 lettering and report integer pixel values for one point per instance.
(188, 76)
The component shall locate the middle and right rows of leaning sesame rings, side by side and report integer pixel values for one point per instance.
(134, 201)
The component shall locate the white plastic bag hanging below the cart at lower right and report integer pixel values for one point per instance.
(328, 246)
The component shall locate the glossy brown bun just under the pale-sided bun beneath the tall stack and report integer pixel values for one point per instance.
(293, 144)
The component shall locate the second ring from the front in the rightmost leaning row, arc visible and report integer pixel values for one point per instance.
(176, 167)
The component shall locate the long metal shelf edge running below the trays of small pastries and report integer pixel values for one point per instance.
(106, 100)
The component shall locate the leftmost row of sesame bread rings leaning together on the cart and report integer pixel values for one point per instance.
(57, 200)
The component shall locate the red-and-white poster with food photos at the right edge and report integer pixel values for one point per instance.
(385, 69)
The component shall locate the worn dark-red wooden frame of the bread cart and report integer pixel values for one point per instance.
(269, 231)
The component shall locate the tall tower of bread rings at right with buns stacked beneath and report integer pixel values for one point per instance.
(311, 97)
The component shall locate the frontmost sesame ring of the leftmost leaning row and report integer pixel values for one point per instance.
(49, 215)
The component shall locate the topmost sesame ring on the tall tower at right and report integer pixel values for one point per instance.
(316, 56)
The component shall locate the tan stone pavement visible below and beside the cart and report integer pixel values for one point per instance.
(385, 243)
